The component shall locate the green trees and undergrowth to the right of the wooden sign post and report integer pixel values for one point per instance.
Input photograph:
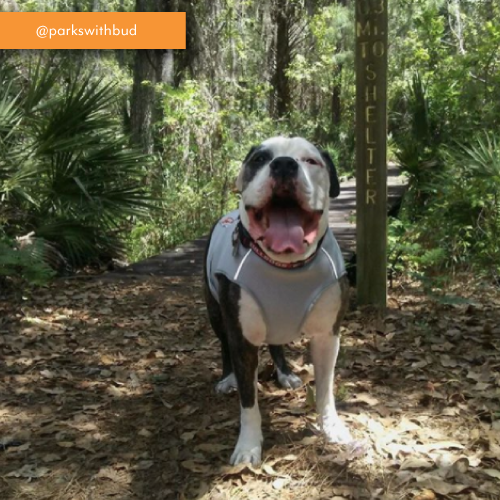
(444, 103)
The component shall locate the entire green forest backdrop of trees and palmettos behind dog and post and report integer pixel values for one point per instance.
(121, 154)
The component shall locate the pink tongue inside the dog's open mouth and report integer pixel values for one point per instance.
(285, 231)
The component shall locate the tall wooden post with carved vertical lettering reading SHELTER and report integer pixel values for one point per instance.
(371, 152)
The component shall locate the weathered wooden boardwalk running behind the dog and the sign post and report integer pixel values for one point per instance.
(187, 260)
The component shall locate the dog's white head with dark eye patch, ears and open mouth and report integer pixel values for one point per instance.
(285, 186)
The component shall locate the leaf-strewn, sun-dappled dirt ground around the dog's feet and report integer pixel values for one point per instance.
(107, 392)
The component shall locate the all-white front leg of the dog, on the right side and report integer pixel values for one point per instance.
(324, 350)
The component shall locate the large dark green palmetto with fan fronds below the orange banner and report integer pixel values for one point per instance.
(67, 174)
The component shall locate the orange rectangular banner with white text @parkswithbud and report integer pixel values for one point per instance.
(92, 30)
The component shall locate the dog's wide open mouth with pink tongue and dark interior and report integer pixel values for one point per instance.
(283, 225)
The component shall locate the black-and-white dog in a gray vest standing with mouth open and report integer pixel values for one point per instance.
(274, 271)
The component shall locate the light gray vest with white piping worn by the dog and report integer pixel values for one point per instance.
(285, 296)
